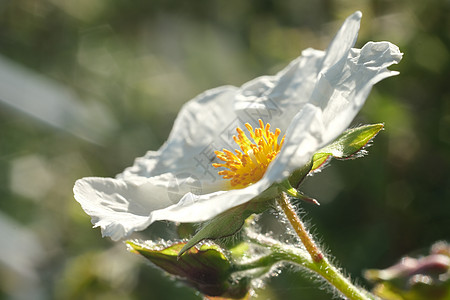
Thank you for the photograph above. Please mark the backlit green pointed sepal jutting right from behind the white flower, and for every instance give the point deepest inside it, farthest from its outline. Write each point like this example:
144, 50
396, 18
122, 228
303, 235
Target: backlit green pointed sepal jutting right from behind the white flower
348, 144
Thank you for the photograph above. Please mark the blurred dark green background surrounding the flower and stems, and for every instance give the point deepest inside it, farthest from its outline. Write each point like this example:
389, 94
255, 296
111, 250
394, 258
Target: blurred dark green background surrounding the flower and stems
86, 86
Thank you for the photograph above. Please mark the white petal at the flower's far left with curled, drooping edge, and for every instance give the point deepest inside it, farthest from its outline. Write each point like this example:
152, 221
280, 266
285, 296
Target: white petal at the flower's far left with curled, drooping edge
121, 206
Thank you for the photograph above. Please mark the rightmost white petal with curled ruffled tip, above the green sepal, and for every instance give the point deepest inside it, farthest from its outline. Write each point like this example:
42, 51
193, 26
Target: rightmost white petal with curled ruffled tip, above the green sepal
342, 90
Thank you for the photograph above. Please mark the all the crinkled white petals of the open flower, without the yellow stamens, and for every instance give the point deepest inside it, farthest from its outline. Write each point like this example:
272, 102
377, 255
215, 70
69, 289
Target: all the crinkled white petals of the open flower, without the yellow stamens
312, 101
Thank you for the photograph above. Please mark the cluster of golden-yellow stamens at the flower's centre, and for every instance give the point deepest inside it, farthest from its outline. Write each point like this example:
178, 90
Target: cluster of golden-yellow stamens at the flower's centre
248, 165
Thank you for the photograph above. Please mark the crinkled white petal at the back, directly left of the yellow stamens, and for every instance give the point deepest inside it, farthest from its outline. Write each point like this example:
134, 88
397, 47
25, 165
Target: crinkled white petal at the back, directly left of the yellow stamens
200, 125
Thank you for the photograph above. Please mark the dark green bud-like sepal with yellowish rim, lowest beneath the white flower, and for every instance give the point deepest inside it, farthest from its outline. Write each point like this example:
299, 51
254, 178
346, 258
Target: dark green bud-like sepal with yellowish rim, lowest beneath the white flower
205, 267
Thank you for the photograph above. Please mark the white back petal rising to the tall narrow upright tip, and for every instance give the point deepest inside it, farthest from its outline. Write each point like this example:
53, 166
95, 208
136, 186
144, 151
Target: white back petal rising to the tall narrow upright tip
277, 99
